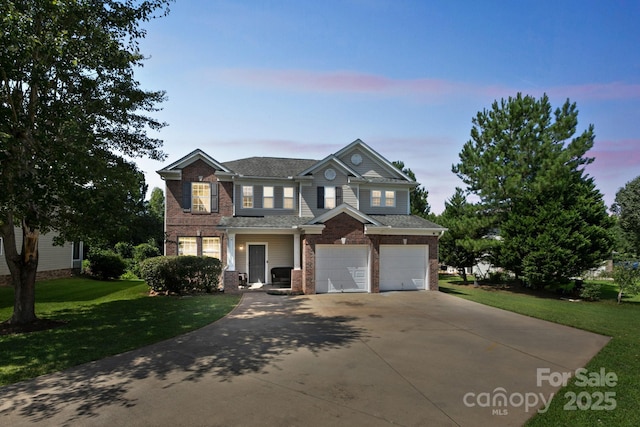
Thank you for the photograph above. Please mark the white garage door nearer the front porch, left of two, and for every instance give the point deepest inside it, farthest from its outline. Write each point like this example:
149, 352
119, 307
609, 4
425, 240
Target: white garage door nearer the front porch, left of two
342, 268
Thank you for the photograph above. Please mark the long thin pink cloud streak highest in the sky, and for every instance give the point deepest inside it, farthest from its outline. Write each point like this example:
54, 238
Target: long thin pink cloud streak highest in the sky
430, 88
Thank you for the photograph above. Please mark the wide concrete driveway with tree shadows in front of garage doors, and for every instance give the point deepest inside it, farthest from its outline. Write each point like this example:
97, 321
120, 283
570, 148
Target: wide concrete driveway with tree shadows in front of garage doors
399, 358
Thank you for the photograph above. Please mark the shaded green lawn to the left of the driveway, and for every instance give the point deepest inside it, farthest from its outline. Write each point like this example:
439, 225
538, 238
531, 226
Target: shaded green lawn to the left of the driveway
100, 319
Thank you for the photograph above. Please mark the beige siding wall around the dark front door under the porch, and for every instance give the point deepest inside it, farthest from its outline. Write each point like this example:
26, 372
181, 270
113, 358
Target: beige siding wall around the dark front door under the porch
279, 248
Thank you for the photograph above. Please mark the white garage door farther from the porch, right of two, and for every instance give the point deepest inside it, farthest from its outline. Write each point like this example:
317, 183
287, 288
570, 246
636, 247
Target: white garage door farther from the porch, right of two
403, 267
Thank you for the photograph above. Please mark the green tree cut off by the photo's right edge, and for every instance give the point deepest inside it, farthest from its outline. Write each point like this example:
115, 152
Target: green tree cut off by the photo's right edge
627, 210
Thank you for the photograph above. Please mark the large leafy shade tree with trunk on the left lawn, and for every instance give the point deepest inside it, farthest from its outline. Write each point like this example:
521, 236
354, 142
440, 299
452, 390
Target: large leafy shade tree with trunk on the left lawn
72, 115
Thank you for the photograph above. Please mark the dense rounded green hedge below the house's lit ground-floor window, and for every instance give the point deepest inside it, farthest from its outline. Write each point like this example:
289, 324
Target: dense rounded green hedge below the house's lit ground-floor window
182, 274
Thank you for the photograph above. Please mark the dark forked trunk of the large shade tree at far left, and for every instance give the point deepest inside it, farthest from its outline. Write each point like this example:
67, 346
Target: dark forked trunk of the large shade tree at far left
23, 267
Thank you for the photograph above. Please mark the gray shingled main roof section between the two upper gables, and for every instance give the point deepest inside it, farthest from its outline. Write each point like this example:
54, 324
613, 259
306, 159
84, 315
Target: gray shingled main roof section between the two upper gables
272, 167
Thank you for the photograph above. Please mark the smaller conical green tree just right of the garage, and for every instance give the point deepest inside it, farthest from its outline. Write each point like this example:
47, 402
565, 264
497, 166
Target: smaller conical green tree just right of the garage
468, 238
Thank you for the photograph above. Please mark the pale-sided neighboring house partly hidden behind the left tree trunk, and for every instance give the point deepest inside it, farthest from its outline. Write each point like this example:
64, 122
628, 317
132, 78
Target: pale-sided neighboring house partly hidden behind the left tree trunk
53, 261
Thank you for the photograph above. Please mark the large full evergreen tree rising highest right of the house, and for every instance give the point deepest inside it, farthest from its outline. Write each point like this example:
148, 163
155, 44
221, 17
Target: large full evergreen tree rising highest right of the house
527, 166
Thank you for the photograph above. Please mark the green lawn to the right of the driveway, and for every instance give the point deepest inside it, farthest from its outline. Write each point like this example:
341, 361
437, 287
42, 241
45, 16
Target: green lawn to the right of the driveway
621, 356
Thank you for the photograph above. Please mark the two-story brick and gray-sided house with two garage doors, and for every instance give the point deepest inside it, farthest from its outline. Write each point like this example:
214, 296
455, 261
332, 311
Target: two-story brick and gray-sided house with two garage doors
341, 224
